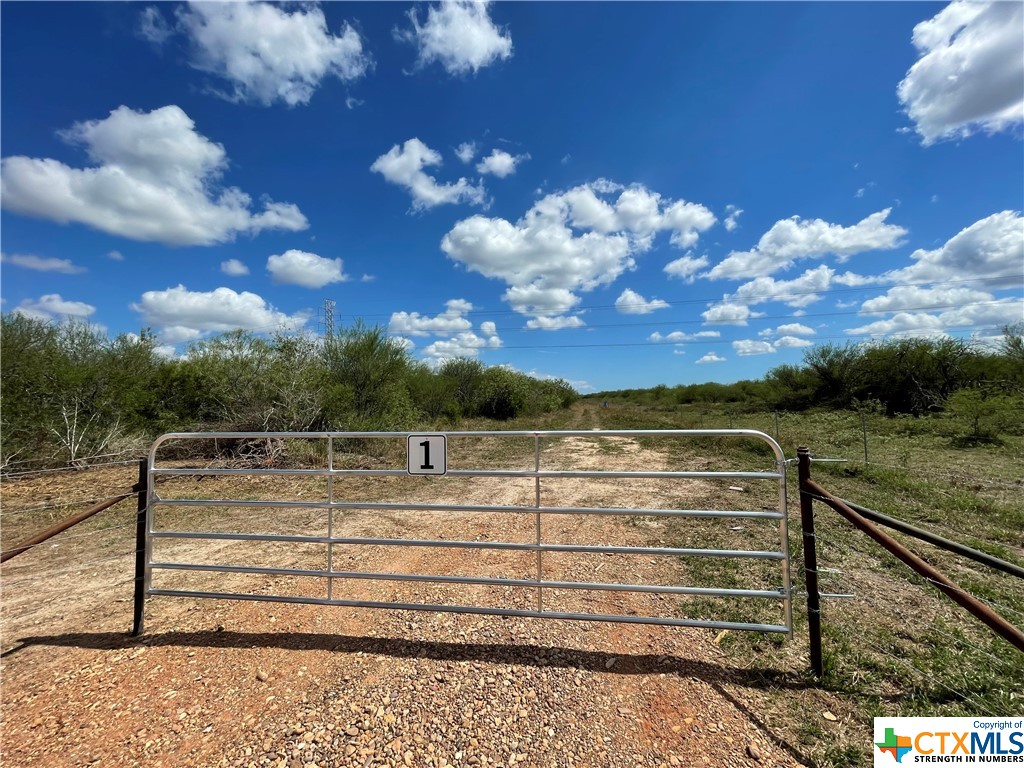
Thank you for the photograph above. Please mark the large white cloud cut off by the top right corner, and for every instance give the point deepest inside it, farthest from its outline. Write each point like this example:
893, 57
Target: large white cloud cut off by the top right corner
970, 73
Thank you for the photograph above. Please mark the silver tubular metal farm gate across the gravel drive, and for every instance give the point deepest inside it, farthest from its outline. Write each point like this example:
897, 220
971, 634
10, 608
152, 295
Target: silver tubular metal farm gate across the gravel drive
330, 506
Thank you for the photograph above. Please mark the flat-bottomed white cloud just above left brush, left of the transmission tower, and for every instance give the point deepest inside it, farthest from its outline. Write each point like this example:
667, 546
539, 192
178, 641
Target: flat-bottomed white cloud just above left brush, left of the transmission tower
183, 315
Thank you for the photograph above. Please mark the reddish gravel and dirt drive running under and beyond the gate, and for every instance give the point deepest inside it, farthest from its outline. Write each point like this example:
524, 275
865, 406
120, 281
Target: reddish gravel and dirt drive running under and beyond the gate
229, 684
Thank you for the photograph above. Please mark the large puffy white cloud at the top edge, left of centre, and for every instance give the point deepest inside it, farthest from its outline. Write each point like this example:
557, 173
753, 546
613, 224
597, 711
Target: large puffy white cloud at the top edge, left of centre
266, 53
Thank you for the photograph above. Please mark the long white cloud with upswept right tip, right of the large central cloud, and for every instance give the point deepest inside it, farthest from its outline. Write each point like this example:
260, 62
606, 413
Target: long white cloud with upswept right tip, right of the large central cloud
795, 239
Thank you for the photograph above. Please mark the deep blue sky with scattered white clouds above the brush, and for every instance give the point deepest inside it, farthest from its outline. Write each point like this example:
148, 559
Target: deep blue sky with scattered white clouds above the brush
619, 195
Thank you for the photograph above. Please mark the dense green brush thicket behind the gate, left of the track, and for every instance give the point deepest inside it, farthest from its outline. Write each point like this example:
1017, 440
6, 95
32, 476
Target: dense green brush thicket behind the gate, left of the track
69, 393
